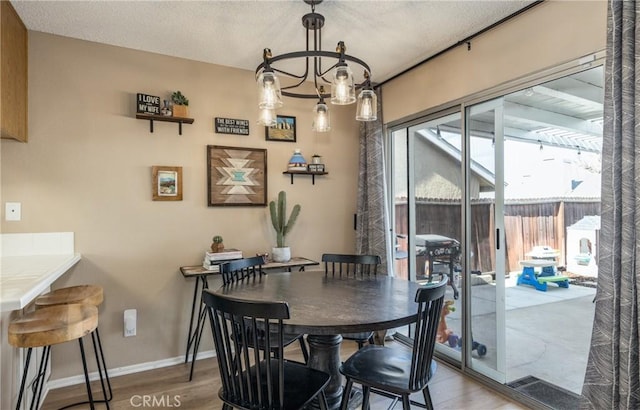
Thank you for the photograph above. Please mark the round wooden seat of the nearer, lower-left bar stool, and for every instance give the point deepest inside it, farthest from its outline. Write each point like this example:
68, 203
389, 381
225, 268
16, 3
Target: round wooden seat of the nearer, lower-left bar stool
53, 325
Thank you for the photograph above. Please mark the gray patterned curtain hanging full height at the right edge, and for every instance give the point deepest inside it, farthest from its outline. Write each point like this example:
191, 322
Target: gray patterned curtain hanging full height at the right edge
612, 377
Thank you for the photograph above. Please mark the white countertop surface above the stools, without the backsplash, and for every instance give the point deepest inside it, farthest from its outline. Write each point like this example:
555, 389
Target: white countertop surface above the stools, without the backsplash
23, 278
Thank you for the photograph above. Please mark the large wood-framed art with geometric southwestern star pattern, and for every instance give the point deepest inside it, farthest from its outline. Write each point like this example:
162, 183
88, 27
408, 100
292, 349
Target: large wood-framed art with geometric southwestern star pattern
236, 176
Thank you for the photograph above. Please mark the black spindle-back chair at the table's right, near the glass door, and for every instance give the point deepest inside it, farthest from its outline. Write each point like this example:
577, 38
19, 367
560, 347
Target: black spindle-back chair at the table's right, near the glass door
397, 370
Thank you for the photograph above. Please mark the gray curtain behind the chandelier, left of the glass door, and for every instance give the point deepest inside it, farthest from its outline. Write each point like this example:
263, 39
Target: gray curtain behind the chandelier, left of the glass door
372, 222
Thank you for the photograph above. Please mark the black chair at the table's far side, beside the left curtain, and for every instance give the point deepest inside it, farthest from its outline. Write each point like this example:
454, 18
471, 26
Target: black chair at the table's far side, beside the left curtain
346, 265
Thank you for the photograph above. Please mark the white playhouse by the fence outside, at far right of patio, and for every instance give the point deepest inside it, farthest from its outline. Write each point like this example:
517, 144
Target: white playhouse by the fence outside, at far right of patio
582, 246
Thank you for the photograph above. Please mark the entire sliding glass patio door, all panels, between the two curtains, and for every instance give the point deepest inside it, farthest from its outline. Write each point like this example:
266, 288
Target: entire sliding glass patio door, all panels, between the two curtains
501, 198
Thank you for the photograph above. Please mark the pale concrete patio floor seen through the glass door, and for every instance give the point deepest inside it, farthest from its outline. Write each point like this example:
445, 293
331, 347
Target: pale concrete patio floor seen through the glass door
547, 333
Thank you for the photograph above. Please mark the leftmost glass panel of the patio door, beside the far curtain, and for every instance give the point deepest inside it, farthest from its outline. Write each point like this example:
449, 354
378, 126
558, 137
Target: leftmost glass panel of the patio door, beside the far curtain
427, 192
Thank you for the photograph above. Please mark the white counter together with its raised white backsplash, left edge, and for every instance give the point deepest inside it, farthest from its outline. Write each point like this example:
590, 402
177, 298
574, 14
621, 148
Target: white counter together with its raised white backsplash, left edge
30, 263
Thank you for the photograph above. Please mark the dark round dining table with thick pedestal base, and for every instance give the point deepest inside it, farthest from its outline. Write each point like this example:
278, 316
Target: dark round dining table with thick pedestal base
324, 306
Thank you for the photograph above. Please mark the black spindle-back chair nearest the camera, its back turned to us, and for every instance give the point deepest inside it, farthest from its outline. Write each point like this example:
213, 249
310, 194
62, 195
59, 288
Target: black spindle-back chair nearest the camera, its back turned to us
252, 378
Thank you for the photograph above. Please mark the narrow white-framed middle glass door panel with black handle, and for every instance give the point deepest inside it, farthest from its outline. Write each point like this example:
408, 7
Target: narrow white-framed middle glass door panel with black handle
485, 283
